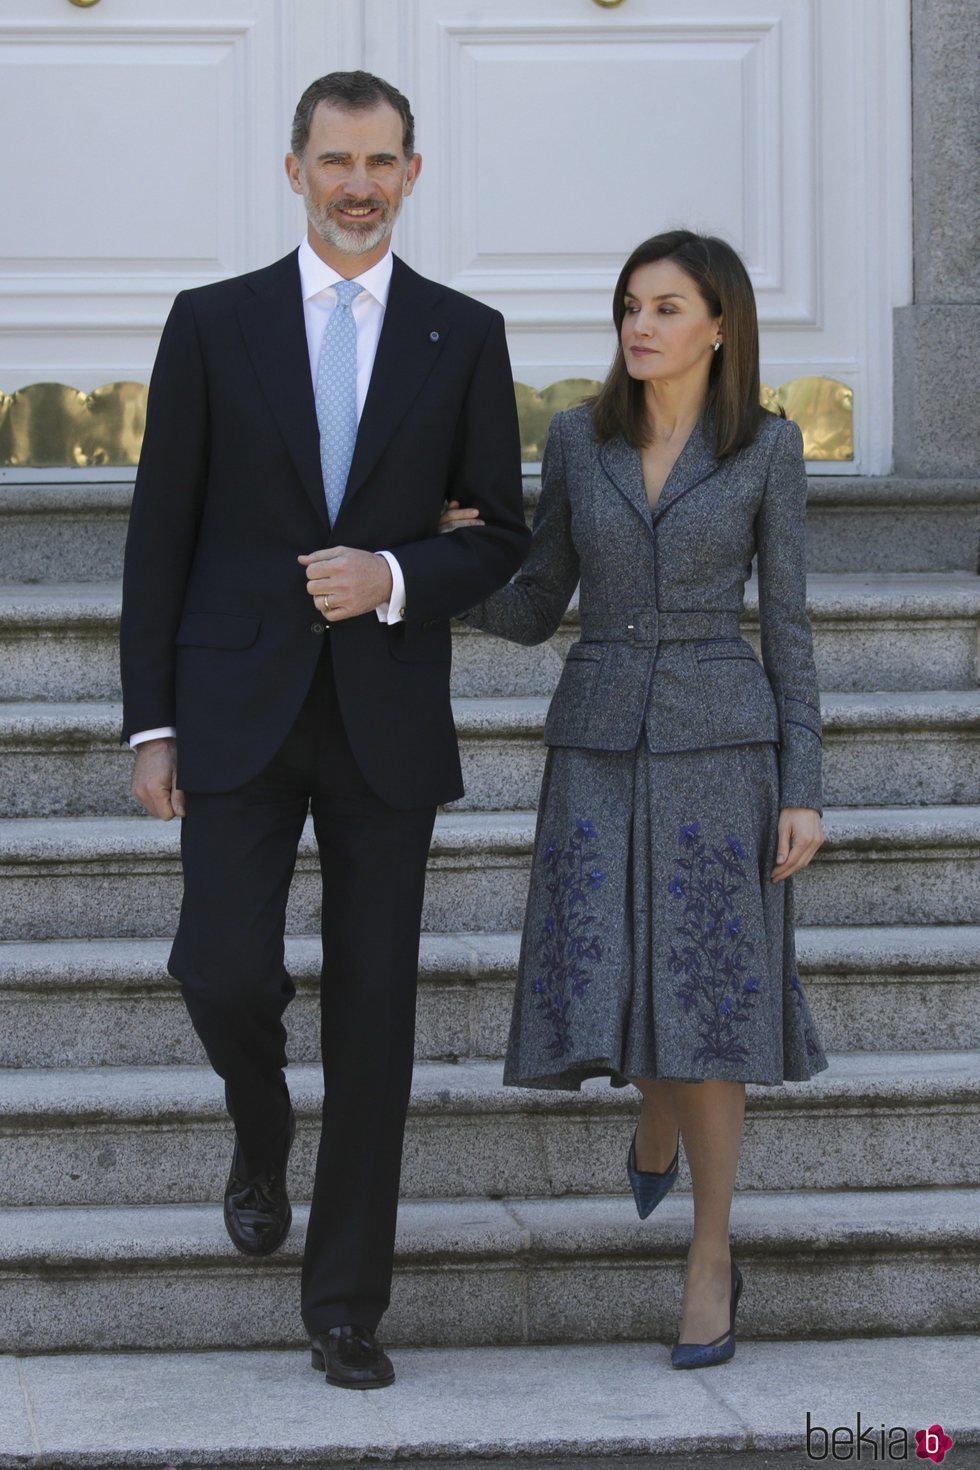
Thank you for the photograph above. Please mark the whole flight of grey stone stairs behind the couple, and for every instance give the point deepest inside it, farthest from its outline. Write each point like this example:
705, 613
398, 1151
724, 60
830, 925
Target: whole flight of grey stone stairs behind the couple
860, 1193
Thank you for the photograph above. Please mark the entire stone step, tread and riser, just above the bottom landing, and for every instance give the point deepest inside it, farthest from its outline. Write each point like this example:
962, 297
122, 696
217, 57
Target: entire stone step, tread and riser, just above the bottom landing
853, 1263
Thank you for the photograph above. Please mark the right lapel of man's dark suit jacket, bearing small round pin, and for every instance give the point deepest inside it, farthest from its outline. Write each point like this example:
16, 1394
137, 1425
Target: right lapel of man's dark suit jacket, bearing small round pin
411, 342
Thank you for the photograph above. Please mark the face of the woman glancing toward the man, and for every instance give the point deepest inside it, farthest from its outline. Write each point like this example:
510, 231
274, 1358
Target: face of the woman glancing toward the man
668, 331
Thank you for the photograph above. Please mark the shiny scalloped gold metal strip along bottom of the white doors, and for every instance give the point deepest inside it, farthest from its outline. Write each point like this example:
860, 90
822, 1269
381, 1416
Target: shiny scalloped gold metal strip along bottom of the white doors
51, 426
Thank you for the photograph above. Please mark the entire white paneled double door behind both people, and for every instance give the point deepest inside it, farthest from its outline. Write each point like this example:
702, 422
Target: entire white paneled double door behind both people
145, 146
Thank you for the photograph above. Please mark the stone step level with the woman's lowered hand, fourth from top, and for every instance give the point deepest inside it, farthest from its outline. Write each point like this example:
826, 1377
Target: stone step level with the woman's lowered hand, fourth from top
118, 878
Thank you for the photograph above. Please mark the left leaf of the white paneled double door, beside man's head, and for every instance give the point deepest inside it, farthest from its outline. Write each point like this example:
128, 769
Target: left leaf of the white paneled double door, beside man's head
143, 146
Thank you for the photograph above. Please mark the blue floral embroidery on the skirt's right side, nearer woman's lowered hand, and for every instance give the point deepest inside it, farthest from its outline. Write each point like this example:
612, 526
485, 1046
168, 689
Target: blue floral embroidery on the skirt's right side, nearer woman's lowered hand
715, 956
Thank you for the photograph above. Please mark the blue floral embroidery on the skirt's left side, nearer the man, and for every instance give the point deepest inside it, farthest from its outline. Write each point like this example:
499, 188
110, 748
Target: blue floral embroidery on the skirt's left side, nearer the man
571, 942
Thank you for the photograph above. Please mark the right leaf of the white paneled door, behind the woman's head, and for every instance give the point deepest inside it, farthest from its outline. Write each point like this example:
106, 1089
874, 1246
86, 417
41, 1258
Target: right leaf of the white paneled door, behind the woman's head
558, 135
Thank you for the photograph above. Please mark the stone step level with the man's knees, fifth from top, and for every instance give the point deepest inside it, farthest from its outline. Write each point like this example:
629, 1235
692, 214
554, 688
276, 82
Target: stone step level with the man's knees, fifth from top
111, 1002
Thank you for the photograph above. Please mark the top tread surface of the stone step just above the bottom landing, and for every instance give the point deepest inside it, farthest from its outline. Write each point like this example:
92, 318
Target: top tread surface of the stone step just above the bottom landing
98, 1238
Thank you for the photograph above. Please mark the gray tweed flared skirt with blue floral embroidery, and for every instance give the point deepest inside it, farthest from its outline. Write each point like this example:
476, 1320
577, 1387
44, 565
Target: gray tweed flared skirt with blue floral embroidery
656, 944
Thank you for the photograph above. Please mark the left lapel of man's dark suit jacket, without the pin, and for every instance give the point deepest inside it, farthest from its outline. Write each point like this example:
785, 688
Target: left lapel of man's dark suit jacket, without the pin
275, 336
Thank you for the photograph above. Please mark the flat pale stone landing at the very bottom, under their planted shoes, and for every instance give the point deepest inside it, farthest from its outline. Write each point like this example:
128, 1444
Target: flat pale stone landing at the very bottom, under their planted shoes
605, 1405
